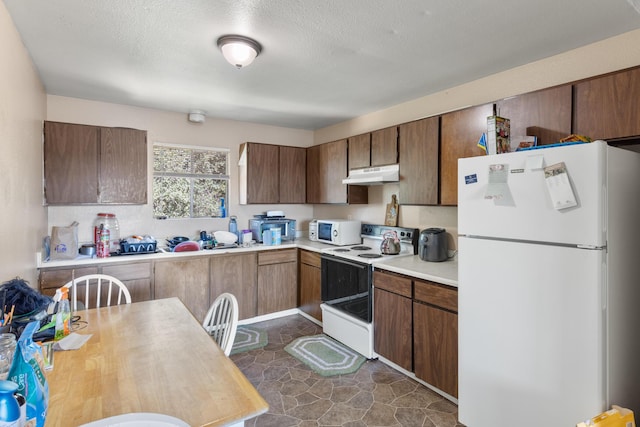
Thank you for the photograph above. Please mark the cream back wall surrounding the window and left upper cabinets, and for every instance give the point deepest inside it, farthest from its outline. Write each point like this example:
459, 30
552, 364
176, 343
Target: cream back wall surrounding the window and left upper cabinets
162, 126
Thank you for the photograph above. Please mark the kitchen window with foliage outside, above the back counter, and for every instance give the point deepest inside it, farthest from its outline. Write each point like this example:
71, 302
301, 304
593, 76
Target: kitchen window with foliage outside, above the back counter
189, 182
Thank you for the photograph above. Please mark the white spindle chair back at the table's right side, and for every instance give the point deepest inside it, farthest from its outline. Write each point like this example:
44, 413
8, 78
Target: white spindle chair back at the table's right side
221, 321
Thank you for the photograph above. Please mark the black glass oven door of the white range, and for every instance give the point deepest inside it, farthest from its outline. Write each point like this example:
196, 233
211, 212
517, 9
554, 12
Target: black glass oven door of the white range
346, 286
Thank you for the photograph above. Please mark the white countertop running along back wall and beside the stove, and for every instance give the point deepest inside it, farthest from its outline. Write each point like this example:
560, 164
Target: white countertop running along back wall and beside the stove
445, 272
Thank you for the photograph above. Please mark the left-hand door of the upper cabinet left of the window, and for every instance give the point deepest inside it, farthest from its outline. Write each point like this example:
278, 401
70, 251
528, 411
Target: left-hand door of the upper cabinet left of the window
71, 163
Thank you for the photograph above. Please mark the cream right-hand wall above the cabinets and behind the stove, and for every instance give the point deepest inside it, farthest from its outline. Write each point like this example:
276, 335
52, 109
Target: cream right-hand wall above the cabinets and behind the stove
608, 55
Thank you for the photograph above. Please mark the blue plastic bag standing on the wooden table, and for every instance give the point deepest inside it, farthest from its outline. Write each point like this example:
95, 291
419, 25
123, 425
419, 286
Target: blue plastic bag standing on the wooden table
27, 370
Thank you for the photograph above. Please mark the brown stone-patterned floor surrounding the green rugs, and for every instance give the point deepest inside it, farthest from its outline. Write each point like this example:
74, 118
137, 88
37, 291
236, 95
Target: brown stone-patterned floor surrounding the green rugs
376, 395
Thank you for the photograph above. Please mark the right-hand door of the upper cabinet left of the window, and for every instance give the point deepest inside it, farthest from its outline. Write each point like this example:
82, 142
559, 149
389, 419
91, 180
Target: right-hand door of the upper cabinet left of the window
123, 166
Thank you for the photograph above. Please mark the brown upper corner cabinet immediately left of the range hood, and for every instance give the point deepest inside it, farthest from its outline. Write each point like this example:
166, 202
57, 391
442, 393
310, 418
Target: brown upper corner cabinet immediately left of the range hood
326, 168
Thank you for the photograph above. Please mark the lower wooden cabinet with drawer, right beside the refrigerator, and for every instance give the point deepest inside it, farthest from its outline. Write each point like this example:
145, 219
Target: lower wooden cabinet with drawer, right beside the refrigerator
435, 335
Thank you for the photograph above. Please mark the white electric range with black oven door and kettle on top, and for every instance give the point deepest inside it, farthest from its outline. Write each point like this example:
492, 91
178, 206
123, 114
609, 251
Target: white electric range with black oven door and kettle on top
347, 284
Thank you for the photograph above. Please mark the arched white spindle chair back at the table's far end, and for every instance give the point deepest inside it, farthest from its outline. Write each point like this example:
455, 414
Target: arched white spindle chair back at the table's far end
97, 290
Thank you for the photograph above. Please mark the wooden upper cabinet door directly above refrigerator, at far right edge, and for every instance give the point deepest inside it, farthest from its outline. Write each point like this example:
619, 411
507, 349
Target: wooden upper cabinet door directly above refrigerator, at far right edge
607, 107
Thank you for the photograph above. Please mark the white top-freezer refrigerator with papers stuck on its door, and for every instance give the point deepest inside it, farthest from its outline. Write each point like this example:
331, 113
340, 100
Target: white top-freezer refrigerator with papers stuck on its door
548, 298
